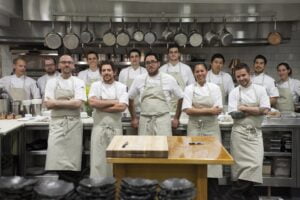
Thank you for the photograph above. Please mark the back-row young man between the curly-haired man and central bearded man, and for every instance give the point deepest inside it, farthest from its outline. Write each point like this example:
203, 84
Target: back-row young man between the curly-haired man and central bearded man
128, 74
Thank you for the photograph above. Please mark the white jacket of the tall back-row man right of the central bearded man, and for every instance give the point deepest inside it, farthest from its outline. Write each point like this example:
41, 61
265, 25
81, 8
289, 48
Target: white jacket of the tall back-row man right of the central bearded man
186, 72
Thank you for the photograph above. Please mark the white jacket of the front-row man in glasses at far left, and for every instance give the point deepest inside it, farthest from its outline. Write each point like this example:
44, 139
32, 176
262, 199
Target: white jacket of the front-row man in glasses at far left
72, 83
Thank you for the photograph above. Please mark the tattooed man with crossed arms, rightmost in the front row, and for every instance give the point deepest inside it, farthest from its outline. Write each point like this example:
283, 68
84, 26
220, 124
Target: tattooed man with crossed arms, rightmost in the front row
246, 143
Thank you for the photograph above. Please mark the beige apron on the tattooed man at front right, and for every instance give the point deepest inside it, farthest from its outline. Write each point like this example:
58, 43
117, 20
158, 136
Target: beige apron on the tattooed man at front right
246, 146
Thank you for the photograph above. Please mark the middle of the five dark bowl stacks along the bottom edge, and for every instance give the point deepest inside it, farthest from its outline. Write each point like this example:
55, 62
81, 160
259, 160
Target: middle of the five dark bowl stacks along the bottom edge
97, 188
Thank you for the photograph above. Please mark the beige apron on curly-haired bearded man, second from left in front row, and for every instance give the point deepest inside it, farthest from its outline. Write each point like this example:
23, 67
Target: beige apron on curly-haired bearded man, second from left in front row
106, 126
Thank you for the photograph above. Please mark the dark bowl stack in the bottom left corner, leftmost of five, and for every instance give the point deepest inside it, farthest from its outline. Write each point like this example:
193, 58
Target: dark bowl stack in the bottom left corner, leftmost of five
17, 188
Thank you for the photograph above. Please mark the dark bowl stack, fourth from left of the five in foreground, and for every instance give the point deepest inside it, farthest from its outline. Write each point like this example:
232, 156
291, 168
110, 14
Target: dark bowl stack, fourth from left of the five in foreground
138, 189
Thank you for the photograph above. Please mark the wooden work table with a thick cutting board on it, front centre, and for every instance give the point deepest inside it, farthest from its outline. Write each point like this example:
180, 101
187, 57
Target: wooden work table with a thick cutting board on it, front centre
188, 158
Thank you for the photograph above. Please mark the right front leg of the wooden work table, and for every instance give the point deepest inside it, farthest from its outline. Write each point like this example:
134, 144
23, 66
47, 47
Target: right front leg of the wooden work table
201, 182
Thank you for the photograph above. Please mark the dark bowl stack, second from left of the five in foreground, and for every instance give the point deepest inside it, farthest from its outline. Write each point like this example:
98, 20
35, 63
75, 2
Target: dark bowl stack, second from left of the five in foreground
55, 190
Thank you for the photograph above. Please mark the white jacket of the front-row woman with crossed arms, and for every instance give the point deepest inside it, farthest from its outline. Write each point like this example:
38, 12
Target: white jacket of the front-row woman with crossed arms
208, 89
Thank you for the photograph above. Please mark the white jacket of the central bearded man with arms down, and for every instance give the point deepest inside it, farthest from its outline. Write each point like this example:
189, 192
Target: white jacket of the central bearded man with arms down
169, 85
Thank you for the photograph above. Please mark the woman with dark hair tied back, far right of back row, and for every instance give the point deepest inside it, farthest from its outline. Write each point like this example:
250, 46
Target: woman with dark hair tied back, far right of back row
289, 88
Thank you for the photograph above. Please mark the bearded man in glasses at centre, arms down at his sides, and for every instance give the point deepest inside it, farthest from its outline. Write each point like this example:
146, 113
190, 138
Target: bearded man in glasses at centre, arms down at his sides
155, 90
